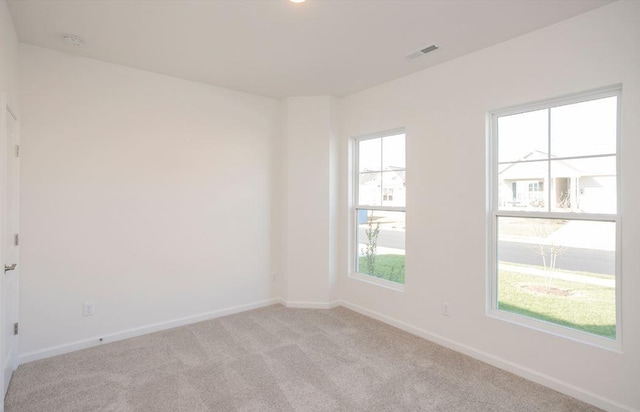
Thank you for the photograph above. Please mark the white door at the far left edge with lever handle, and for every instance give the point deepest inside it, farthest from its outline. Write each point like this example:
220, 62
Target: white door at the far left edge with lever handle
9, 282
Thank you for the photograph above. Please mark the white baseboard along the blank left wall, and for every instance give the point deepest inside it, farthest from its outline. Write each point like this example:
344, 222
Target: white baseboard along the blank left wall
130, 333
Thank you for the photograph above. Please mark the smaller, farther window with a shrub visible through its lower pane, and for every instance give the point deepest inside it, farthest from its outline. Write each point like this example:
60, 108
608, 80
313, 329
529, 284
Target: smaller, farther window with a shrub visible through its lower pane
379, 211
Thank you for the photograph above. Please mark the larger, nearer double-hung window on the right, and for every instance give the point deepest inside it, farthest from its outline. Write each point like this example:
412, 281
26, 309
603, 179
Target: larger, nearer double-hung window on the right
554, 216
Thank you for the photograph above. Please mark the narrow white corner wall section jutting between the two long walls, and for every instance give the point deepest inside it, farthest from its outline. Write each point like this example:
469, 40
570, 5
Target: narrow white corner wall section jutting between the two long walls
310, 200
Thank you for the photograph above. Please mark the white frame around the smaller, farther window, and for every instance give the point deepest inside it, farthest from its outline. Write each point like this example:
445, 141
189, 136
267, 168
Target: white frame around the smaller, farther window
355, 207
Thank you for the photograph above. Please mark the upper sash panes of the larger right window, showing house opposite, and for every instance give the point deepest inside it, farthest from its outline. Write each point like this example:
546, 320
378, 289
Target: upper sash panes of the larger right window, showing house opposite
558, 149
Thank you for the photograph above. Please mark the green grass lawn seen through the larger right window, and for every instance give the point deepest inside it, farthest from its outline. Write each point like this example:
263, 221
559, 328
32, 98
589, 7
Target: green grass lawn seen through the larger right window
580, 306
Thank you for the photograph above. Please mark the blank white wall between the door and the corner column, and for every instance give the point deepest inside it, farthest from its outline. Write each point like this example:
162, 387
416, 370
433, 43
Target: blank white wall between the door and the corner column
147, 195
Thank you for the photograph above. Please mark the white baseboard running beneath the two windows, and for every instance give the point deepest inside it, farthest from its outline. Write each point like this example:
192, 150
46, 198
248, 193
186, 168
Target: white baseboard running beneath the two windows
529, 374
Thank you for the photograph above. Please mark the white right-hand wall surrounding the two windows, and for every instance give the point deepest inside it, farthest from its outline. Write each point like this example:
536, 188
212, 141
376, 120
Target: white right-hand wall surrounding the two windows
443, 110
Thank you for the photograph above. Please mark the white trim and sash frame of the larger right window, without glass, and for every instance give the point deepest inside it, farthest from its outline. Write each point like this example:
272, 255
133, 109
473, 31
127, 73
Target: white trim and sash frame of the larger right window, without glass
493, 213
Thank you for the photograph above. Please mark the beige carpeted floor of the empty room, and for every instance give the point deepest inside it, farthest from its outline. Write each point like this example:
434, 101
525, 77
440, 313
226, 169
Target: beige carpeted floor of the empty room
276, 359
